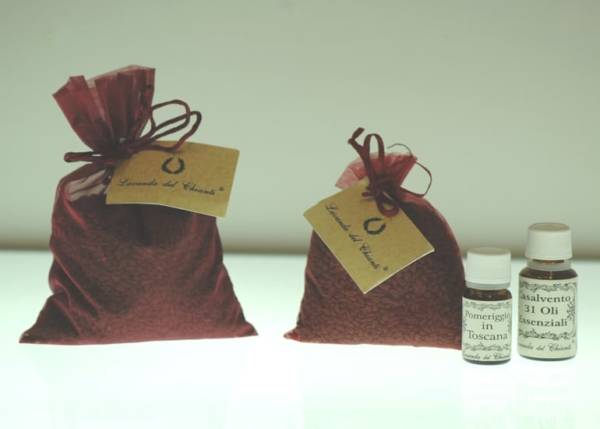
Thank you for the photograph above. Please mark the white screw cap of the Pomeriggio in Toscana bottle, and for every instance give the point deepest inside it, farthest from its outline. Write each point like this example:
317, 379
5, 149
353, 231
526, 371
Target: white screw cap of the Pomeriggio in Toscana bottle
488, 266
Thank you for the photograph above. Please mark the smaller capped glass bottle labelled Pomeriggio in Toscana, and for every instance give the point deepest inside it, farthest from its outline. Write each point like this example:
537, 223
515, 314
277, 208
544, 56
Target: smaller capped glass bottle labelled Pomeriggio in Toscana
487, 307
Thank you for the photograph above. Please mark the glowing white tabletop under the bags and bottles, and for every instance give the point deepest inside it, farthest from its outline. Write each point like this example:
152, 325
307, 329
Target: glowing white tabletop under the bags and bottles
269, 382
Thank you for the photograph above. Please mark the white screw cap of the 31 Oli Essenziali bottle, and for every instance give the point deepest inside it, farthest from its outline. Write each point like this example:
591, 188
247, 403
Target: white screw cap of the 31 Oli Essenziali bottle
549, 242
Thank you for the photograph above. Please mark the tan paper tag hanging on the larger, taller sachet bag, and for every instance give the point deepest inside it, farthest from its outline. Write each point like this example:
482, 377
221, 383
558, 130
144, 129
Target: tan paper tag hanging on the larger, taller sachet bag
197, 178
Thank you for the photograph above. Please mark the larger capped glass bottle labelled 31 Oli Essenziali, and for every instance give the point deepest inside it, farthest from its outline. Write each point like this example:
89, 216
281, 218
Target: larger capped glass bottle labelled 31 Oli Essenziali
548, 295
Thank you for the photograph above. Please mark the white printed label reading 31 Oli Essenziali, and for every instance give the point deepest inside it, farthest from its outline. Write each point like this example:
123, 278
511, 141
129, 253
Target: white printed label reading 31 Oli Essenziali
547, 318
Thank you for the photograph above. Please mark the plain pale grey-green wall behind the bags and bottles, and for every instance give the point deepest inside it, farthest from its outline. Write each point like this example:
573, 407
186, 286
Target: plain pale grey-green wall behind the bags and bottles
501, 100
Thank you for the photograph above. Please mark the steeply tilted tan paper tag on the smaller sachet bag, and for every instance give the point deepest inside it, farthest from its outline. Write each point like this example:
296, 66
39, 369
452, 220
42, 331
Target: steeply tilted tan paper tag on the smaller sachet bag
371, 247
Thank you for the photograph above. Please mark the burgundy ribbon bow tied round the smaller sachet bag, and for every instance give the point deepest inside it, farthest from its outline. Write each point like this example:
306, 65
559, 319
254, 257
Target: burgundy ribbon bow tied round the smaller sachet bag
385, 182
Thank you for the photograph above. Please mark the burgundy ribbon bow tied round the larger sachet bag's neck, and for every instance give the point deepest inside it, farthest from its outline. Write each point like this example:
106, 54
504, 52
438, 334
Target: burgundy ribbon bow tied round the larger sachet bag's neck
126, 148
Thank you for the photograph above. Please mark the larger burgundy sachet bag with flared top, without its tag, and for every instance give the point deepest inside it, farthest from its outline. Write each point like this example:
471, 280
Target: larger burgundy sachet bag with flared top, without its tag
124, 273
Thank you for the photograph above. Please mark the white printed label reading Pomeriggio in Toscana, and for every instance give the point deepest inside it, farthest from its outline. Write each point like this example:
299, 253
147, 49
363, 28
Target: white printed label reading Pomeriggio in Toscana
486, 330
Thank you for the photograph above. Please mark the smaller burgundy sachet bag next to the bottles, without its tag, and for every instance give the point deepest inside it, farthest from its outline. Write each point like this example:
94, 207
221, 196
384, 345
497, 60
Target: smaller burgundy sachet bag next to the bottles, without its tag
419, 305
